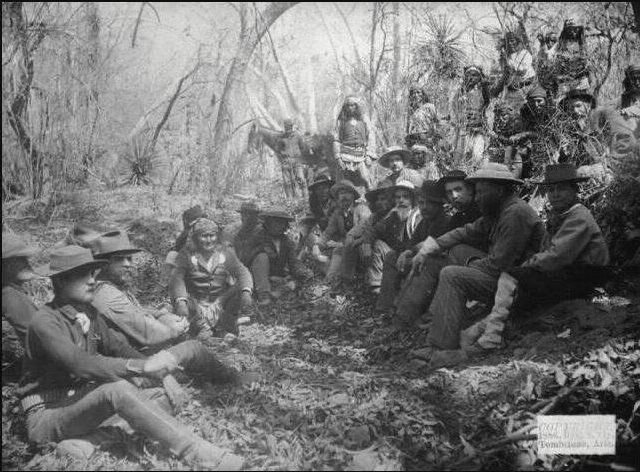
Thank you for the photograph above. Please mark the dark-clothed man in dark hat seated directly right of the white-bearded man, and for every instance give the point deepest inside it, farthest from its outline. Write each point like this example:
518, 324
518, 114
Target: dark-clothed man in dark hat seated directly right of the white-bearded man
397, 265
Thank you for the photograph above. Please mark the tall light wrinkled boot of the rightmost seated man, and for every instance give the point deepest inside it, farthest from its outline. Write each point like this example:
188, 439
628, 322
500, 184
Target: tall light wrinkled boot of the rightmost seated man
487, 333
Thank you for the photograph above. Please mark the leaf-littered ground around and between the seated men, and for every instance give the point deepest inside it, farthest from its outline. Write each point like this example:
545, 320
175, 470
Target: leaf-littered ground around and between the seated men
340, 389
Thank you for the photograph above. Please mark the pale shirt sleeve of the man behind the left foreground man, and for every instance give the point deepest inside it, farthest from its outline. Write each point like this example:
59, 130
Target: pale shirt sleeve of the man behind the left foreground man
133, 320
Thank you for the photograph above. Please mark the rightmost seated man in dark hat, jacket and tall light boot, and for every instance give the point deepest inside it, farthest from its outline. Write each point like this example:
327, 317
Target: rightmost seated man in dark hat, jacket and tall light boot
568, 265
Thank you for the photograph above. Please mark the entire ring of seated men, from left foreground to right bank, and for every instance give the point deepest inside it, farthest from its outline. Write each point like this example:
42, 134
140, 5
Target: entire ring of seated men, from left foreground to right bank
94, 351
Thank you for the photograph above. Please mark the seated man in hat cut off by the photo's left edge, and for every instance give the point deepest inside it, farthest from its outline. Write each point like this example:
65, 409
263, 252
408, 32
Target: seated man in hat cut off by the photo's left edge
17, 308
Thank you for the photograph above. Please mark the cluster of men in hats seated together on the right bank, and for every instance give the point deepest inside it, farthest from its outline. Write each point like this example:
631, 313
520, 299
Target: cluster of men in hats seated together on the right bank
424, 263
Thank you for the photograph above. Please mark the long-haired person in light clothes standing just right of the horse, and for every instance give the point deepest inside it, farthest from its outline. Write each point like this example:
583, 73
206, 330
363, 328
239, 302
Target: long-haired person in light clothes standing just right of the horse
354, 144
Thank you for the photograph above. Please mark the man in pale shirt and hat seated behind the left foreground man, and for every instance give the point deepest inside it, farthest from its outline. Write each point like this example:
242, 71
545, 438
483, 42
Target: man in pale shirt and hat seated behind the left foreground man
114, 296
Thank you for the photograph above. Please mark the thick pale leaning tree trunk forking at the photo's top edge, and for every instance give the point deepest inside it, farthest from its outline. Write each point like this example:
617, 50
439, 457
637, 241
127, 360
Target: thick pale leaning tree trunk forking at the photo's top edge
252, 29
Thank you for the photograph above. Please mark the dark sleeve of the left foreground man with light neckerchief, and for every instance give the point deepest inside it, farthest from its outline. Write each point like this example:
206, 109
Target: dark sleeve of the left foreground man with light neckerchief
51, 338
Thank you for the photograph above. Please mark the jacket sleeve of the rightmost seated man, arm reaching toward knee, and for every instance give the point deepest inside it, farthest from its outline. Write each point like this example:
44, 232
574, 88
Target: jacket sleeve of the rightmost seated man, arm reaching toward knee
567, 244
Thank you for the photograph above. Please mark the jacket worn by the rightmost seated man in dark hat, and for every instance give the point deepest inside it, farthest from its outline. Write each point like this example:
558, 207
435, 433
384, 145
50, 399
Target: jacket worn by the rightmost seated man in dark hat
574, 239
